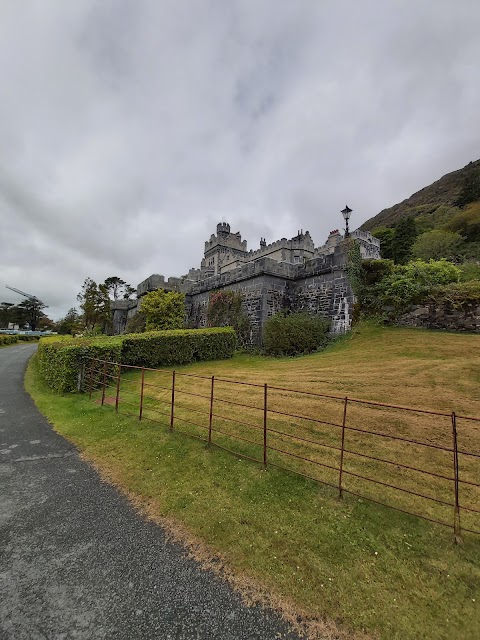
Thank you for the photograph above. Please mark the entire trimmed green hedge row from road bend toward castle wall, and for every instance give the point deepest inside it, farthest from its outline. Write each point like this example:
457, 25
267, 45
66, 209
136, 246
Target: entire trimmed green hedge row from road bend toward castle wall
60, 360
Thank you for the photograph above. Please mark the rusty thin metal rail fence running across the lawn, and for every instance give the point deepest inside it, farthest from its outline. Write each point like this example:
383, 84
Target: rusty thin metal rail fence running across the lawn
423, 463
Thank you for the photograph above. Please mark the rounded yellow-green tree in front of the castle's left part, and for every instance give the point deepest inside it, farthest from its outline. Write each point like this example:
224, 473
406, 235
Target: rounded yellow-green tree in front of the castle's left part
163, 310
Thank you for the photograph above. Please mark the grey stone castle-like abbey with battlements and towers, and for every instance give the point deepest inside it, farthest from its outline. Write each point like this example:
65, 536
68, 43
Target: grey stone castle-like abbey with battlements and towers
285, 275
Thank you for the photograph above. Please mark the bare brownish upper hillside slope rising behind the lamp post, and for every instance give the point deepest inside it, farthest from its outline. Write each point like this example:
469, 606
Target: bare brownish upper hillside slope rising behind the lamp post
435, 202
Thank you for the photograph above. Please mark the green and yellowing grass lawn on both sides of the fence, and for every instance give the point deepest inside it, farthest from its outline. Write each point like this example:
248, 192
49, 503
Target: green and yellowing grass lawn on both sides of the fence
361, 568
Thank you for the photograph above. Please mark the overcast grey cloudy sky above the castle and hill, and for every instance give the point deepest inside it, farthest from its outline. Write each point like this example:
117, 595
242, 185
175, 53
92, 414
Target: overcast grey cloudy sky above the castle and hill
129, 128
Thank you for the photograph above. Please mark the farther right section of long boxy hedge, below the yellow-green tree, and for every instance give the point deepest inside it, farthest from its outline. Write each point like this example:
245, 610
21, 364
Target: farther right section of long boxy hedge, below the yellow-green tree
160, 348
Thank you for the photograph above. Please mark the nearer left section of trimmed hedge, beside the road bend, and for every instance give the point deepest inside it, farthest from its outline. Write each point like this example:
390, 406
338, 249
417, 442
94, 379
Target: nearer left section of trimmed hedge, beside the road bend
60, 361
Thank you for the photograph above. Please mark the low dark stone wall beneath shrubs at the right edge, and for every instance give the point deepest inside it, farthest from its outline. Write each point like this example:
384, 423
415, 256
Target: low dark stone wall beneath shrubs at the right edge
443, 316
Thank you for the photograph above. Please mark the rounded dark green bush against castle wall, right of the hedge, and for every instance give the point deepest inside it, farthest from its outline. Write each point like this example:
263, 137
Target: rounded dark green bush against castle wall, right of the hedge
289, 335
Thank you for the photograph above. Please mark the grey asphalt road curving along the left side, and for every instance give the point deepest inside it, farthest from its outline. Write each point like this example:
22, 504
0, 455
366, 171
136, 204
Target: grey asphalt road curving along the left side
76, 561
